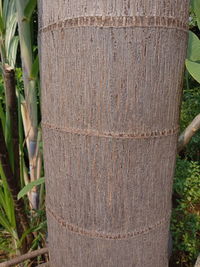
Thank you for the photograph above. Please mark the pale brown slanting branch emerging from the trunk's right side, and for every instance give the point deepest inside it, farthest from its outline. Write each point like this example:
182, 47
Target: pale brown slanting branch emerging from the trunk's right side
189, 132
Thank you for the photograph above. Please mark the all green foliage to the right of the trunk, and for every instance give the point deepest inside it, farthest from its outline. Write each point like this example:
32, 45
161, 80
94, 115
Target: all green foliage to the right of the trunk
185, 222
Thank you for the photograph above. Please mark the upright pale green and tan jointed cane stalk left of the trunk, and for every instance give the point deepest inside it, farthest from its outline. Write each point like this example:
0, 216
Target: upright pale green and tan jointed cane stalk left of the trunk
30, 121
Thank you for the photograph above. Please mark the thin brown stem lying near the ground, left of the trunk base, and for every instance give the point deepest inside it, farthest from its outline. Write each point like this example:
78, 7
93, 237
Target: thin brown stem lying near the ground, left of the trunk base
24, 257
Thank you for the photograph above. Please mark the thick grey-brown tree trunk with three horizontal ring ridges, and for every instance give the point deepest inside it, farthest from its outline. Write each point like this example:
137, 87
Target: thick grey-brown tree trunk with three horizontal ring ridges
111, 86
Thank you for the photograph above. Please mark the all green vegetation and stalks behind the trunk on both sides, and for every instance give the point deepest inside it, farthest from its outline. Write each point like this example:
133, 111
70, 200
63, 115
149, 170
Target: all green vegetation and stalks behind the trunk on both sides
22, 139
